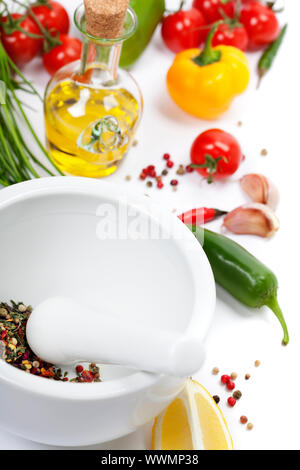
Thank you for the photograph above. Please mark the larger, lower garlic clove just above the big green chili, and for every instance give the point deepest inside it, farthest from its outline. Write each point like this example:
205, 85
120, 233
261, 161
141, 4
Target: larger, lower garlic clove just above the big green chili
252, 219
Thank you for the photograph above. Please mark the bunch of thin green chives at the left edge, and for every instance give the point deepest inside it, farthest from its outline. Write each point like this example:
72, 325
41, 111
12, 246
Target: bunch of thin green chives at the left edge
17, 162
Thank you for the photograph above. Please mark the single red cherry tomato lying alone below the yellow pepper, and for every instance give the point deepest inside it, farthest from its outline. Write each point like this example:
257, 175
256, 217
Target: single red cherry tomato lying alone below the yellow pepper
218, 153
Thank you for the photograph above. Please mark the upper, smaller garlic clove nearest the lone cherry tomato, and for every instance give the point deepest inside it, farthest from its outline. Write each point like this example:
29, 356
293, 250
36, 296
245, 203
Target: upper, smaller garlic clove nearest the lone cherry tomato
260, 189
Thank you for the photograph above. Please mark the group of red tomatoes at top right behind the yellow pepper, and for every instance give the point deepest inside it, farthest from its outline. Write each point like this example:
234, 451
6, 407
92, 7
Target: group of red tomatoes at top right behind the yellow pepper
252, 27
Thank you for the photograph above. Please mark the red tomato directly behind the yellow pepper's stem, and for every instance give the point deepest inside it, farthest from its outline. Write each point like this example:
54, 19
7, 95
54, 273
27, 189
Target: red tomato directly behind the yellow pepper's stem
231, 36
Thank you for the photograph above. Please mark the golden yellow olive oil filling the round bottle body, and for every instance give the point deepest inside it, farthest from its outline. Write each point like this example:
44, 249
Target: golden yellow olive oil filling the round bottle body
88, 129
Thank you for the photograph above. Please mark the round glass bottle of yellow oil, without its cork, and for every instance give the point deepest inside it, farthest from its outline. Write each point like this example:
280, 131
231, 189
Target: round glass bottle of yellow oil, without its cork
92, 107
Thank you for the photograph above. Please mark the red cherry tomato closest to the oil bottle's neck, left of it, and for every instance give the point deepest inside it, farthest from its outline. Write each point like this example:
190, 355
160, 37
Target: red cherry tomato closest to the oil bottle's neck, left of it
67, 52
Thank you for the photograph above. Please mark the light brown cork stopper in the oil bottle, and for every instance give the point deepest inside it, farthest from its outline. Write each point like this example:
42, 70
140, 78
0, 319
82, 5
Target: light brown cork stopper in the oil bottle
105, 18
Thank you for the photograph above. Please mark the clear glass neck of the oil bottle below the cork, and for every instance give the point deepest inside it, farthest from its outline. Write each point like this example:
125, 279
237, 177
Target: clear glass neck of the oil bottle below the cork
103, 58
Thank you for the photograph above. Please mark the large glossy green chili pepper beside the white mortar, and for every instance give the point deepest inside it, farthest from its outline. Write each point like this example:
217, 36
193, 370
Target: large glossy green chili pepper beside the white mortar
241, 274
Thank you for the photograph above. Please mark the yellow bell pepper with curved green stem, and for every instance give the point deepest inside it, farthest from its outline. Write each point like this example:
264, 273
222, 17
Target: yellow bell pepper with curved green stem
204, 83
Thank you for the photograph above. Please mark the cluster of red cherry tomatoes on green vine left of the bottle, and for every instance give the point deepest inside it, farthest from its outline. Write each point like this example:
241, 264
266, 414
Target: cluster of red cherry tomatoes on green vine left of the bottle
42, 29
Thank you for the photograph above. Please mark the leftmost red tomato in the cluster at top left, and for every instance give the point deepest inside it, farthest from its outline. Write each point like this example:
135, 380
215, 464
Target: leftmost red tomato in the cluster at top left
20, 47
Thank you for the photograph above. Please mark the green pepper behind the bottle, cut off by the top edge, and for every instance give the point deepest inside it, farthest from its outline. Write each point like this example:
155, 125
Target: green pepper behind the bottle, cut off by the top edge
149, 13
